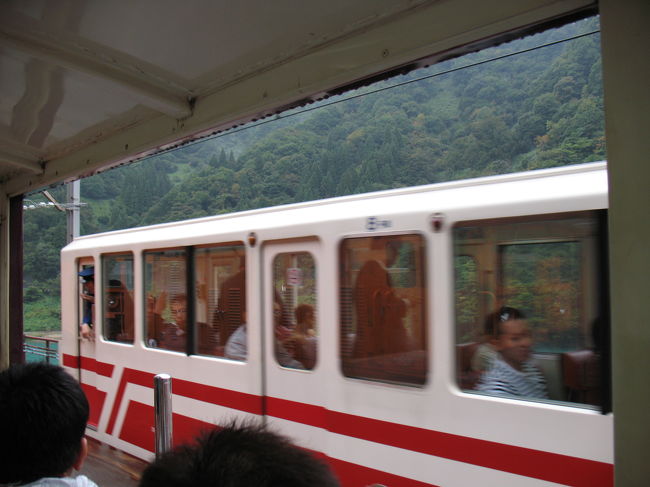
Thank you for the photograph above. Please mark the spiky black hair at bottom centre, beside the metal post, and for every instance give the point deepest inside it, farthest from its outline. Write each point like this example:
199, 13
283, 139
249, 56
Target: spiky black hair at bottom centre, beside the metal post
238, 456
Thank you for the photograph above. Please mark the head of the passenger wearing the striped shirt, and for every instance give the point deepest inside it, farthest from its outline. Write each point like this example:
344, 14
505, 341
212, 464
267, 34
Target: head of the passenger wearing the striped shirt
510, 335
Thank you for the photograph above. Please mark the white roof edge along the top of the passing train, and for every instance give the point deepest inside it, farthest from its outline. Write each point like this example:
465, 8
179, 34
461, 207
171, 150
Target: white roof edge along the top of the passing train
542, 184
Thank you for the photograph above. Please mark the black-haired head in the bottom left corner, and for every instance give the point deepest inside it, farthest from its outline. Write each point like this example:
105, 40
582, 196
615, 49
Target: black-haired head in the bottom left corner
43, 416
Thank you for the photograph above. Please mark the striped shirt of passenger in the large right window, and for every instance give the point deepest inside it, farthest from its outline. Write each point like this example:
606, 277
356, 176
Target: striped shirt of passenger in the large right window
503, 380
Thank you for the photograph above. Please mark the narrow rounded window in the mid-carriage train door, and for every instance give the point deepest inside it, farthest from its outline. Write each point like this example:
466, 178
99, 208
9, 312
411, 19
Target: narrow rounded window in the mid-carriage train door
294, 310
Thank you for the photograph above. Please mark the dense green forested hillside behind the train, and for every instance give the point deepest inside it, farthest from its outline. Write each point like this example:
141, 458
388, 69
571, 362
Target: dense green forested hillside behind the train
504, 109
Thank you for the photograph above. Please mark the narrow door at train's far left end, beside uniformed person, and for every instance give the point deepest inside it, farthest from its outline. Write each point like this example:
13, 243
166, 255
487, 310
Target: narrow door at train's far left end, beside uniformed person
86, 326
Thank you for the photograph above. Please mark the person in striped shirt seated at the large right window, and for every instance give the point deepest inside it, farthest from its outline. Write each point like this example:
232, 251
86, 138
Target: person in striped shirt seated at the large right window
511, 373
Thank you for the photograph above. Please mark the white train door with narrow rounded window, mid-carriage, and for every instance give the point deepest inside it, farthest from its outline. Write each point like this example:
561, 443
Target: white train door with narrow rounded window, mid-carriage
294, 374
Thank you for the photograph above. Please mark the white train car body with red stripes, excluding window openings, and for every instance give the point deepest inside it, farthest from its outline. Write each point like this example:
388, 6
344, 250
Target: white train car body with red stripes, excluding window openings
371, 431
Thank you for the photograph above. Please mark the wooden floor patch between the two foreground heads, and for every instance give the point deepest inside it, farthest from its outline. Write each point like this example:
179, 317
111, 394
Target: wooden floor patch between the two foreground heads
108, 467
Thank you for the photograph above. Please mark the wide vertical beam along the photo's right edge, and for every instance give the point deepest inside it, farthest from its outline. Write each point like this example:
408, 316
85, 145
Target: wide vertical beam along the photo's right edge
626, 77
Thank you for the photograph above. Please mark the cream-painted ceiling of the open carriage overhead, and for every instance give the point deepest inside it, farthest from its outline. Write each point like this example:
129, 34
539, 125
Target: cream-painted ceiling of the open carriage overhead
89, 84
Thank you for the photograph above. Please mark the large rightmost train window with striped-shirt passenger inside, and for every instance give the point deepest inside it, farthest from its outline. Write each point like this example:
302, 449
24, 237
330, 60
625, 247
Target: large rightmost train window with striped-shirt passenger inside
539, 293
